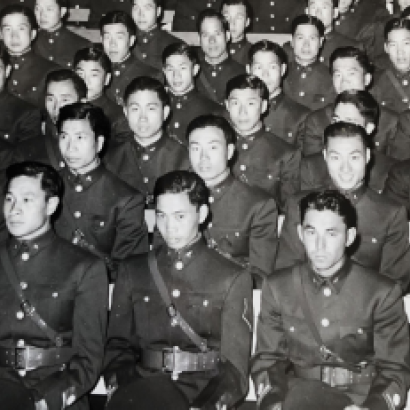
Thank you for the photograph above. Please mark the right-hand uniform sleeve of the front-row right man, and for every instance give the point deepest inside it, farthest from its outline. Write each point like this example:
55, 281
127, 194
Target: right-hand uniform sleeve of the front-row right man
391, 346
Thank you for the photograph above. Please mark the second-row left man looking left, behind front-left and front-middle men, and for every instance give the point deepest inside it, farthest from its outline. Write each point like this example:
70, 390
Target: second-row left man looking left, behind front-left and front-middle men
100, 212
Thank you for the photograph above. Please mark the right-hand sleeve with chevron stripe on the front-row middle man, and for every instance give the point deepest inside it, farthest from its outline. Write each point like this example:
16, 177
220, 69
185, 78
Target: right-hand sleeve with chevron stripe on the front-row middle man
231, 383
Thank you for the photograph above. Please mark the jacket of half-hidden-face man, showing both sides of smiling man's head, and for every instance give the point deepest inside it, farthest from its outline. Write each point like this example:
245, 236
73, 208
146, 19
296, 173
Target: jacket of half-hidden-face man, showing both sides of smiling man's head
384, 140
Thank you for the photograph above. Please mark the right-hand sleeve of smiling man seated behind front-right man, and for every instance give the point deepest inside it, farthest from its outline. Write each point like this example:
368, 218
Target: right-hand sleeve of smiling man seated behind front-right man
395, 261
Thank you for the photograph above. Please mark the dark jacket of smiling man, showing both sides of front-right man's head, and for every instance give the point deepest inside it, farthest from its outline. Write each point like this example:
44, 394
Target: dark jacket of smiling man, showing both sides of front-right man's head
383, 235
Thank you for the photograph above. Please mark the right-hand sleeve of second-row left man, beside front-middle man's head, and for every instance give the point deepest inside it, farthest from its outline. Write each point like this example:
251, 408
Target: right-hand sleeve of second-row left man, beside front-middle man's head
131, 231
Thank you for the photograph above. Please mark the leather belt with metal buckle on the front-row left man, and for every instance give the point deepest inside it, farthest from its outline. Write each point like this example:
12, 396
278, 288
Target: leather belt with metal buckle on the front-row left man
30, 357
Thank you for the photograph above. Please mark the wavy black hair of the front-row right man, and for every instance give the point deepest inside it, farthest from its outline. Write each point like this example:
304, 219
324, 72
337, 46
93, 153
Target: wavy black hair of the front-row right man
329, 200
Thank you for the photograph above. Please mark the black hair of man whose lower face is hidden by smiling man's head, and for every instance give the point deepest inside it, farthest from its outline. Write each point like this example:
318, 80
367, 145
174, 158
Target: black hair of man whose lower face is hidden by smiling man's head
363, 101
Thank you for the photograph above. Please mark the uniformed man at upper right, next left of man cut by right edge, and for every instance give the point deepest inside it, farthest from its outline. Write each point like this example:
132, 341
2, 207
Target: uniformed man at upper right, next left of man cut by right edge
308, 81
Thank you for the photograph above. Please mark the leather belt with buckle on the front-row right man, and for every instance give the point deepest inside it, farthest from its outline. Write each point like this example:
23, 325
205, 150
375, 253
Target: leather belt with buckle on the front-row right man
336, 376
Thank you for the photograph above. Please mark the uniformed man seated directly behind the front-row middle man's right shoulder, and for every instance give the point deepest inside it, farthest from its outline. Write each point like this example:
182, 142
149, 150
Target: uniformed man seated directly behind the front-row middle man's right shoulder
243, 219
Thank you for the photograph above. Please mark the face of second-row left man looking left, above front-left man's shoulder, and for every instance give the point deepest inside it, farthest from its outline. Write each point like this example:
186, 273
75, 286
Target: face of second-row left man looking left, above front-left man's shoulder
78, 145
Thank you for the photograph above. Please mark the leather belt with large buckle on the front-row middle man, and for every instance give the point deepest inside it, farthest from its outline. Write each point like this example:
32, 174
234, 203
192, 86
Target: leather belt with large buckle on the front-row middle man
177, 361
